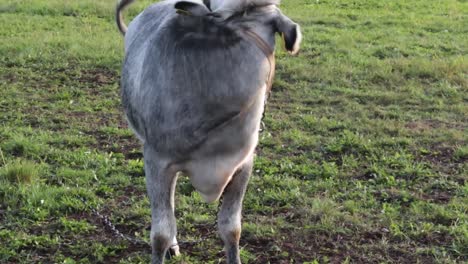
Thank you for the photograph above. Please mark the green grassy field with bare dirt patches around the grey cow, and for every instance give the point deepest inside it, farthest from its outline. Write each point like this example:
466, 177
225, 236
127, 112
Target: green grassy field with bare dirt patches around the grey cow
364, 158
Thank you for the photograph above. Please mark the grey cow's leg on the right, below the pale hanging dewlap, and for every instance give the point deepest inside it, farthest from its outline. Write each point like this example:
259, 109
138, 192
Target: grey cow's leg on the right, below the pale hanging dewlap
229, 216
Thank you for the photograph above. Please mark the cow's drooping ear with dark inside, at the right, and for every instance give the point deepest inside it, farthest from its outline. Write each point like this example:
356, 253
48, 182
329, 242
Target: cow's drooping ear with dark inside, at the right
290, 32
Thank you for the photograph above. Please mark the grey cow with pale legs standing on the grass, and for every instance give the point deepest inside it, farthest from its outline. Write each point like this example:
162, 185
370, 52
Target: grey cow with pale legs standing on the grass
194, 82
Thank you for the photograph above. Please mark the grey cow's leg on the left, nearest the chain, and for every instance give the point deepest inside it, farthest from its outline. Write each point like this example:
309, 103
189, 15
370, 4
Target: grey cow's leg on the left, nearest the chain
160, 183
